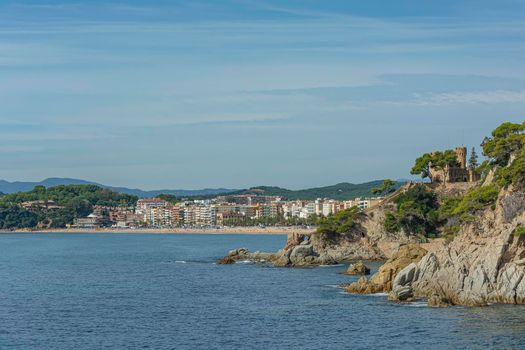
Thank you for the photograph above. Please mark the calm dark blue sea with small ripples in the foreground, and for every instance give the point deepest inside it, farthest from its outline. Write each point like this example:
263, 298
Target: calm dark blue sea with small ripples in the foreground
130, 290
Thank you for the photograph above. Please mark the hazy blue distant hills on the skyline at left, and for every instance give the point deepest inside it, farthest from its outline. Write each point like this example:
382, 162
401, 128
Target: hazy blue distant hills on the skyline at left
18, 186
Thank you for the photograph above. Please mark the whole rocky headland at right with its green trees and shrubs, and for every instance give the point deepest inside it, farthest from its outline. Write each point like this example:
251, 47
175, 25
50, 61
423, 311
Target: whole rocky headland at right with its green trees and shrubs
479, 258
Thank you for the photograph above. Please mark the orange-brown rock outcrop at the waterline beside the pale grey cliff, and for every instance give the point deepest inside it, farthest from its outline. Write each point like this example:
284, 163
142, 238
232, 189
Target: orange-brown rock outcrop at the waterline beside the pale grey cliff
382, 280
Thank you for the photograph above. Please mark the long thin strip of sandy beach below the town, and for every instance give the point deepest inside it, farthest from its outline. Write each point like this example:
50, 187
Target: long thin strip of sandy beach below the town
224, 230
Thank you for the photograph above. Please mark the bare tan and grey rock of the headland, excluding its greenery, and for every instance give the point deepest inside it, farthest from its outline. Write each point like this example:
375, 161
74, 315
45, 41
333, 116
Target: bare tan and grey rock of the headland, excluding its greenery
483, 264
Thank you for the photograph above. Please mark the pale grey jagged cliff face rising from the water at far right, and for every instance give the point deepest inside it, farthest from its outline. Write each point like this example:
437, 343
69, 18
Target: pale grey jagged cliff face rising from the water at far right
484, 264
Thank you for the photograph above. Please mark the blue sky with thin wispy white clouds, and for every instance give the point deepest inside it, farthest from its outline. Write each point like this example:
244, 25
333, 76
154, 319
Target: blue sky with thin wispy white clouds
238, 93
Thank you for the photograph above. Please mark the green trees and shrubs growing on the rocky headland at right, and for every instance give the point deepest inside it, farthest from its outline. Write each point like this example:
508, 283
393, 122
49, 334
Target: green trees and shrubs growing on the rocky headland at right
420, 211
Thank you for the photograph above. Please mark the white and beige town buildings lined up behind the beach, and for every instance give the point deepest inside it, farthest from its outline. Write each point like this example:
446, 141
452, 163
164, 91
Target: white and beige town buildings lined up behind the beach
226, 210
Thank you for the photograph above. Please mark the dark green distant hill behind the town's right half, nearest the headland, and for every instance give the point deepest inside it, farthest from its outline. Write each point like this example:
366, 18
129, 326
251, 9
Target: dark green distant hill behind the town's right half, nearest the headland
341, 191
